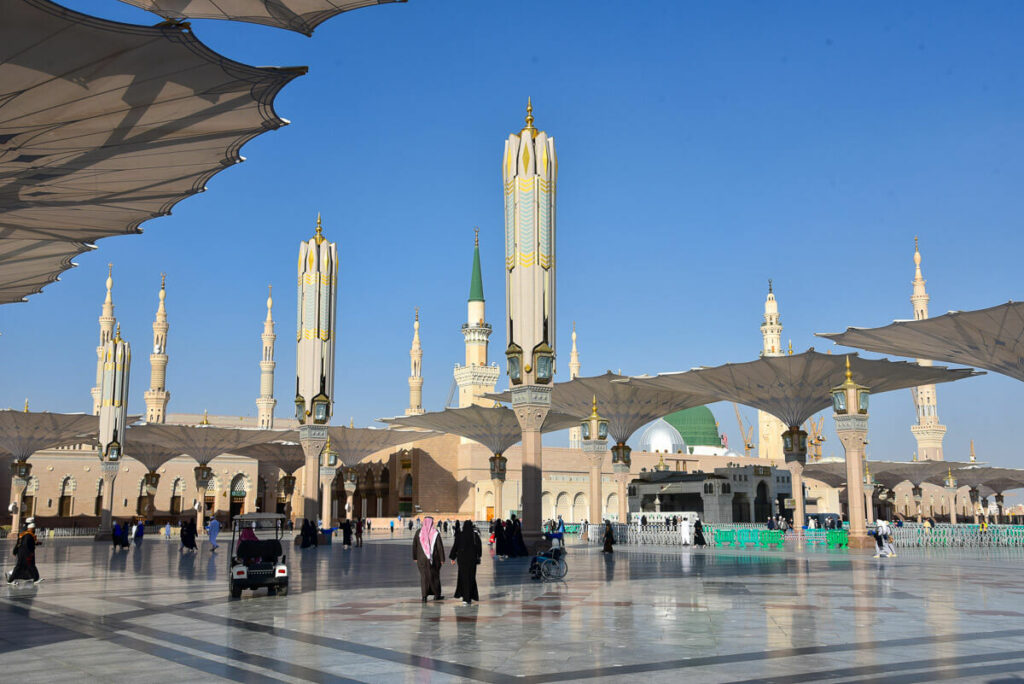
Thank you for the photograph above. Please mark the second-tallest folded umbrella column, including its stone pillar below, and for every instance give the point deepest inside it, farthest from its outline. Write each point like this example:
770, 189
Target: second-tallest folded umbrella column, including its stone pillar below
315, 357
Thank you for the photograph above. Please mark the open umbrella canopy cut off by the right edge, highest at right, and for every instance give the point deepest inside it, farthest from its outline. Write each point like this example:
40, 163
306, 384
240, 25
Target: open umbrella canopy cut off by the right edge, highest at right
992, 339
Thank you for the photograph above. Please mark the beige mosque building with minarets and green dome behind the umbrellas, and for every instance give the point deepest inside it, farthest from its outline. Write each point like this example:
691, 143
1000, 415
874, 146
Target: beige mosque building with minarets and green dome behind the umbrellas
447, 475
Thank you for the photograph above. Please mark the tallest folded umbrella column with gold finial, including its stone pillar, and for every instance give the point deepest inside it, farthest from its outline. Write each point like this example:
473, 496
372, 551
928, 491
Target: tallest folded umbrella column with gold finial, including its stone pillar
530, 174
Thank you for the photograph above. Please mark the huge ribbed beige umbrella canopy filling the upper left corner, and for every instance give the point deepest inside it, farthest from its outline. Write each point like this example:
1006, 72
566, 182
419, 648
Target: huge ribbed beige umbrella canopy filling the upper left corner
105, 125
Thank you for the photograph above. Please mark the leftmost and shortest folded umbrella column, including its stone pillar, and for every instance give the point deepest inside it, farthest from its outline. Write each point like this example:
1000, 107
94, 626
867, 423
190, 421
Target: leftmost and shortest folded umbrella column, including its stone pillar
113, 419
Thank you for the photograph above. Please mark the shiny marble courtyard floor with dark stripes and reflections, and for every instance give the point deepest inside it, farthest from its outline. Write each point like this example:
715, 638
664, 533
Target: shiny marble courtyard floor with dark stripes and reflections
657, 615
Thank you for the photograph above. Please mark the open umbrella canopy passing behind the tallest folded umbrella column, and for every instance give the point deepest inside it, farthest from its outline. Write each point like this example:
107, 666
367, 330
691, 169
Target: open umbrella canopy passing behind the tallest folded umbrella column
497, 427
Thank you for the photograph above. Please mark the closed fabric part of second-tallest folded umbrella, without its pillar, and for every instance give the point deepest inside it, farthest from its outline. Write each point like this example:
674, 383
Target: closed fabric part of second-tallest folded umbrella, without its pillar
316, 332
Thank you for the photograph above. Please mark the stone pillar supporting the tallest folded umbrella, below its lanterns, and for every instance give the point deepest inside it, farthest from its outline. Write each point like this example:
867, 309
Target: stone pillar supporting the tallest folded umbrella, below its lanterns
532, 404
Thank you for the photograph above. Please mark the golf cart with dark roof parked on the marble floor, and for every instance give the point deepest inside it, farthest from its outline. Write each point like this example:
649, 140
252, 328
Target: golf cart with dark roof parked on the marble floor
258, 560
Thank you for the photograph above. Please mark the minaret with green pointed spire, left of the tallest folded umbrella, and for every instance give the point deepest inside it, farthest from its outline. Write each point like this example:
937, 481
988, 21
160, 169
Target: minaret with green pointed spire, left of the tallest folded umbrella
476, 378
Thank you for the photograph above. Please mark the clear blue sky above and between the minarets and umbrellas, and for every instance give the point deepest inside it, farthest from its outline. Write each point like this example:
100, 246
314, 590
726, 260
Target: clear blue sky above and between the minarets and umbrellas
704, 149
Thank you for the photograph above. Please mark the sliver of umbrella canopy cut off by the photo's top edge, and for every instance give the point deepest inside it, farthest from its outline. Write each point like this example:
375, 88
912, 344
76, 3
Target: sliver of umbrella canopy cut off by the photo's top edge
302, 16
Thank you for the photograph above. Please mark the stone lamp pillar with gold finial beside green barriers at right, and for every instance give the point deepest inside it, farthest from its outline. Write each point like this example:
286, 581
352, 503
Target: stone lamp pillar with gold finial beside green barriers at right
850, 406
